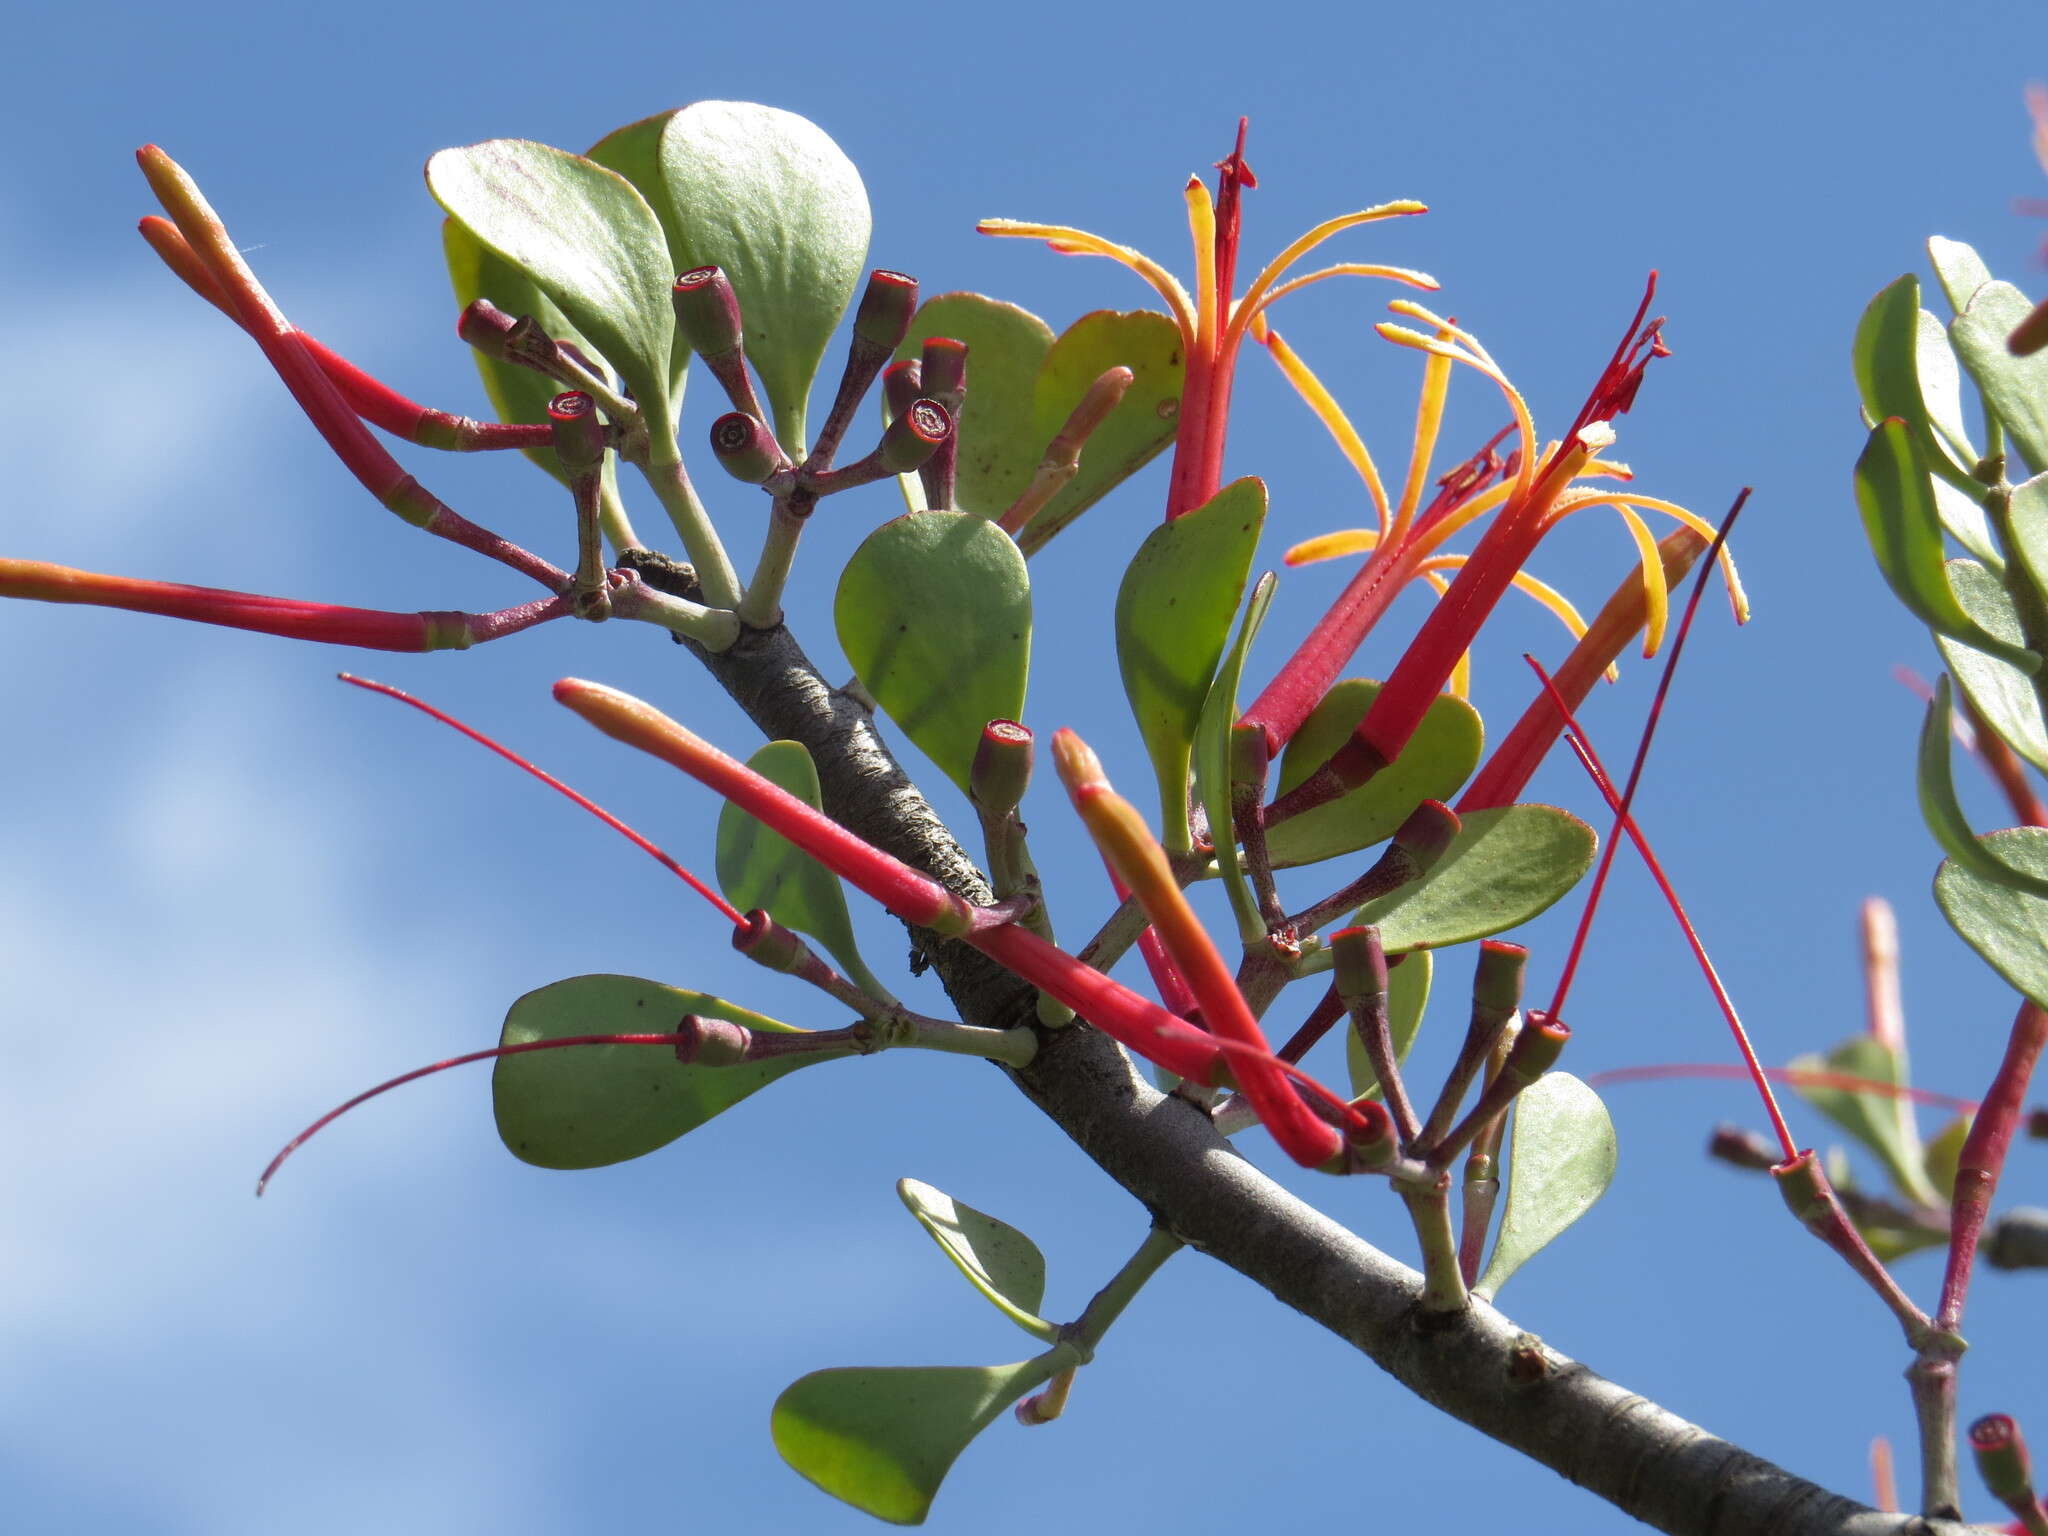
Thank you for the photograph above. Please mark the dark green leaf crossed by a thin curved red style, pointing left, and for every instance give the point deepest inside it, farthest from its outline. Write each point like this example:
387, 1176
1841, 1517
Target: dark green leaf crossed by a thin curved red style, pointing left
599, 1105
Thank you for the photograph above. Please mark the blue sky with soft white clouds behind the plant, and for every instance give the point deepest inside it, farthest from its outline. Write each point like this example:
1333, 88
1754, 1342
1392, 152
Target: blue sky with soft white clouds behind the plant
237, 894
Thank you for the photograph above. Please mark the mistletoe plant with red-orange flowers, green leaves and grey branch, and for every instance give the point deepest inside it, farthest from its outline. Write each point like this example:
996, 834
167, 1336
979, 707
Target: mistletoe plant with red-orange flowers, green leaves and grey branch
1367, 837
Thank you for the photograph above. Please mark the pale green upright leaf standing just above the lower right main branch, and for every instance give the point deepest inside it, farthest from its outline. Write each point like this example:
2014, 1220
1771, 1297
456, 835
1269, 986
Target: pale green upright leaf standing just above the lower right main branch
1560, 1162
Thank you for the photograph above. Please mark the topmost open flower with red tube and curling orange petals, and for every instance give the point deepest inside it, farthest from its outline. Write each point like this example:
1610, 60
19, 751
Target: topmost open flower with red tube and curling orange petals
1213, 325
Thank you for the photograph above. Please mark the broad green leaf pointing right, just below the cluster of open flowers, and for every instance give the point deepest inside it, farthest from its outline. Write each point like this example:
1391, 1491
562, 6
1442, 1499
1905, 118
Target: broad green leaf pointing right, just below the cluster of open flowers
1504, 867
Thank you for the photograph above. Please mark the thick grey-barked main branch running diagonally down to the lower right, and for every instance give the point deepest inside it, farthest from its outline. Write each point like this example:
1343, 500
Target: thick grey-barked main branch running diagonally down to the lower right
1480, 1369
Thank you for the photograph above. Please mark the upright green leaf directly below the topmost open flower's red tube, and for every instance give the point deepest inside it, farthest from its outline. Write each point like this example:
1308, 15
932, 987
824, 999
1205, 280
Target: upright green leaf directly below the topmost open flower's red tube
1172, 620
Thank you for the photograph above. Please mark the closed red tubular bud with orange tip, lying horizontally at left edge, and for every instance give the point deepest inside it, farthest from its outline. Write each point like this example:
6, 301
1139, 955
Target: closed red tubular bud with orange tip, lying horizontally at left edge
312, 622
